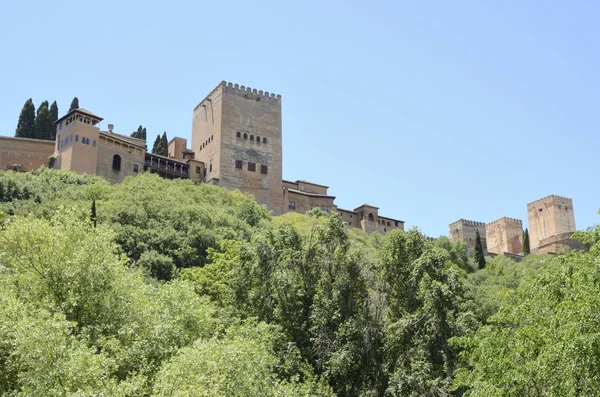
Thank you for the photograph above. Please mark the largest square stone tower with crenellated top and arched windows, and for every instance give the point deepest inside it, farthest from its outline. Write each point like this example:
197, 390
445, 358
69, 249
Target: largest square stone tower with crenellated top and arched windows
236, 132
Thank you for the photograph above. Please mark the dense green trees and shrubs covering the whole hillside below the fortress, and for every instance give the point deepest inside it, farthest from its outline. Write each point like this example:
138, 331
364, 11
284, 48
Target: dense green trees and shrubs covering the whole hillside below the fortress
176, 289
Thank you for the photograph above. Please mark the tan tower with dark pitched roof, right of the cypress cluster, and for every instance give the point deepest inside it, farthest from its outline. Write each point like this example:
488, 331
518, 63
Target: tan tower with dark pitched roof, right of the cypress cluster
77, 138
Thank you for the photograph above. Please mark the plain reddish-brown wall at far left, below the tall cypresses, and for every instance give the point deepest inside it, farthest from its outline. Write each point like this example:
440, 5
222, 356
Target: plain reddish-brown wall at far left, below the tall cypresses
31, 154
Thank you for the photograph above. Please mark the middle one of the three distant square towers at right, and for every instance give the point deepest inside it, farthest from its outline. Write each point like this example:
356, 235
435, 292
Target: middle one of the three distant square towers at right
505, 236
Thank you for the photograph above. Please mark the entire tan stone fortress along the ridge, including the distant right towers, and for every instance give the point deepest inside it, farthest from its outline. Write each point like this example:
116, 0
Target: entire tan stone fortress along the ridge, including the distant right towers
237, 144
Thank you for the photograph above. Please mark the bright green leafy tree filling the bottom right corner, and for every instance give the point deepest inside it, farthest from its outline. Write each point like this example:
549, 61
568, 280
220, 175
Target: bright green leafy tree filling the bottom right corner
544, 341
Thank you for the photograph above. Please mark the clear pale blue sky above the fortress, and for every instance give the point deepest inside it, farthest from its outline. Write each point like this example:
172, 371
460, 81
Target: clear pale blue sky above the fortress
433, 111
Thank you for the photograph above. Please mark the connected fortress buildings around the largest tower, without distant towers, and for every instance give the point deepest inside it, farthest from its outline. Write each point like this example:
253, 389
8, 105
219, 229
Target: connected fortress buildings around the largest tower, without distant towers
236, 143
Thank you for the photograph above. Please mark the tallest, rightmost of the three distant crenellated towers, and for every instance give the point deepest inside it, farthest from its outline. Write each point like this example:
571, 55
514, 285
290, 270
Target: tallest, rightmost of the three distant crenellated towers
551, 223
